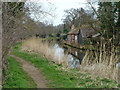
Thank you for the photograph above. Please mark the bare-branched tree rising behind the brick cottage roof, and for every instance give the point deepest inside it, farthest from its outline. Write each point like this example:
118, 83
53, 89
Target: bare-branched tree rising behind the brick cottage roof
79, 17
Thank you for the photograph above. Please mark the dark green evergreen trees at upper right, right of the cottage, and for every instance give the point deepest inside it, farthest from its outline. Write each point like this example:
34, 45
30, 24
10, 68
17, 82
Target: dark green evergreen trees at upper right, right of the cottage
109, 16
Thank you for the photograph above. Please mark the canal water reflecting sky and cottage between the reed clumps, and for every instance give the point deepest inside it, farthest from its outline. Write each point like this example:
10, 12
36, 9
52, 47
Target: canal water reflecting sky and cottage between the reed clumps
75, 56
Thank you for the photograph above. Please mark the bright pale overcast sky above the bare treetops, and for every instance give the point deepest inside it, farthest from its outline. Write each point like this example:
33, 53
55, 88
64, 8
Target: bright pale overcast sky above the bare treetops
60, 6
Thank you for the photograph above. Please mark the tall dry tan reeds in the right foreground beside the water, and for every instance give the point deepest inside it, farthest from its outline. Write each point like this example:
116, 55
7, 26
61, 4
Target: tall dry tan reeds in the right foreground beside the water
102, 62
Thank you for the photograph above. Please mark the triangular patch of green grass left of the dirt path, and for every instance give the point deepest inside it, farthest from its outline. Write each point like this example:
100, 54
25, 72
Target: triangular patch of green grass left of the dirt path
16, 77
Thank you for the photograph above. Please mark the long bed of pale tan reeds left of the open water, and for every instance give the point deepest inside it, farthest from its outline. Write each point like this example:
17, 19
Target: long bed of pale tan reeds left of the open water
44, 48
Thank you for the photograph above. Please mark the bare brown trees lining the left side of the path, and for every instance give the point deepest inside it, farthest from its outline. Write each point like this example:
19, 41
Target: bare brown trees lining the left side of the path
18, 25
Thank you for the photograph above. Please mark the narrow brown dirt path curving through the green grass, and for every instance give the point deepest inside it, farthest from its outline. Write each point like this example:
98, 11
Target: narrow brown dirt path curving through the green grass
33, 72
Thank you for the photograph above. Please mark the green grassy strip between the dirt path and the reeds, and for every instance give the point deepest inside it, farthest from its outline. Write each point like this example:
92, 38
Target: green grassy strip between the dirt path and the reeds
60, 77
